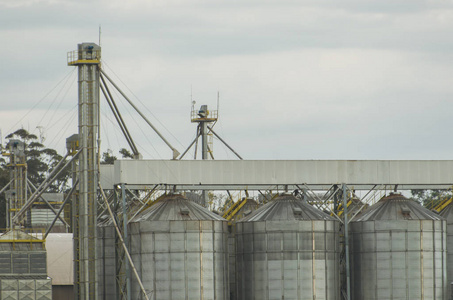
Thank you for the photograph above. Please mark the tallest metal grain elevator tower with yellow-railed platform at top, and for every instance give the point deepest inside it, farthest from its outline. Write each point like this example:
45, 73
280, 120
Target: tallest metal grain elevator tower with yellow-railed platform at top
87, 59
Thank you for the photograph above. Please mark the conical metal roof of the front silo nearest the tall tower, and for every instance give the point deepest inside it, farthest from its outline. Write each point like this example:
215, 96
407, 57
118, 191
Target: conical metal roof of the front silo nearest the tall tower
176, 207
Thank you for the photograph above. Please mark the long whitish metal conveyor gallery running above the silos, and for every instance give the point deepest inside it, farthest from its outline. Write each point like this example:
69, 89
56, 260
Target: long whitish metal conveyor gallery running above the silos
408, 174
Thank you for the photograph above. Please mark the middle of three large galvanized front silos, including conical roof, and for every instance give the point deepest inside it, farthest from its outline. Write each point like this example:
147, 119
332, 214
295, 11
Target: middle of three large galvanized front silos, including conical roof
287, 249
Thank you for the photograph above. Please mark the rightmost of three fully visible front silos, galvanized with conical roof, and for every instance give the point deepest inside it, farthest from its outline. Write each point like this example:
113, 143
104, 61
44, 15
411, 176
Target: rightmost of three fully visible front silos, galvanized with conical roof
398, 251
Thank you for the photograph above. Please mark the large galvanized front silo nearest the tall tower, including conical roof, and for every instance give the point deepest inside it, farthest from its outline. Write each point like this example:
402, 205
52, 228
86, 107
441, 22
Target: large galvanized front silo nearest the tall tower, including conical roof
180, 251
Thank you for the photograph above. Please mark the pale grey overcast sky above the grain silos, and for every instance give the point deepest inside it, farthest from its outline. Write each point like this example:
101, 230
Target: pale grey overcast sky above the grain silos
299, 79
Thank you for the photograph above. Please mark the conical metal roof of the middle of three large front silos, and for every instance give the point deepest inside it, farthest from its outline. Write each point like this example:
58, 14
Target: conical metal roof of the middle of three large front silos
286, 207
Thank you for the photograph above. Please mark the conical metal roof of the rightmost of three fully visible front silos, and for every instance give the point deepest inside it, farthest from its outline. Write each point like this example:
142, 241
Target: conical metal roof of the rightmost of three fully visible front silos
397, 207
